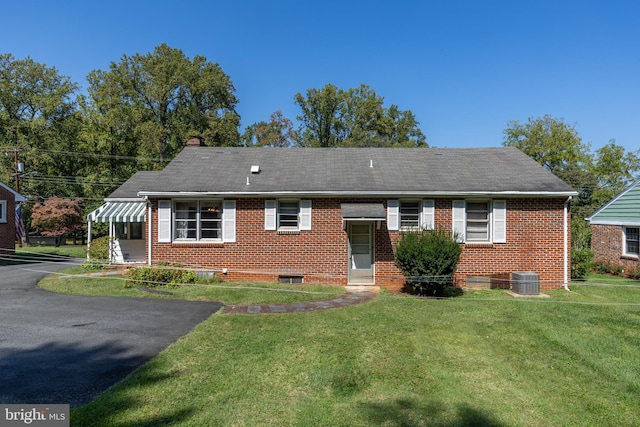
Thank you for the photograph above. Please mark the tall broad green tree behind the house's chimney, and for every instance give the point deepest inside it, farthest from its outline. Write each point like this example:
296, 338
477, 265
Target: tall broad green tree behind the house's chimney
152, 103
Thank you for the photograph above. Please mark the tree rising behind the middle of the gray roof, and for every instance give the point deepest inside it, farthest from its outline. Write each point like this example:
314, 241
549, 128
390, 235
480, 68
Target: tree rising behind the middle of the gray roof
332, 117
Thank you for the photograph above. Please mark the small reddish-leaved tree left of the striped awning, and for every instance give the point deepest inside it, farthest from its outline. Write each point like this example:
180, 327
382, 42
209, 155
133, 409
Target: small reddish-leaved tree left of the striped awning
57, 217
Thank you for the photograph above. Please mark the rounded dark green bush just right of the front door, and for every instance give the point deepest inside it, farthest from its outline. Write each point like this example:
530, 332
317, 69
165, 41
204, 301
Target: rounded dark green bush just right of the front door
428, 258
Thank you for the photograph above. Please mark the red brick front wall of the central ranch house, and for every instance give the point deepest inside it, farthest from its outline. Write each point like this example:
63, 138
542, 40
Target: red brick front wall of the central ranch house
534, 243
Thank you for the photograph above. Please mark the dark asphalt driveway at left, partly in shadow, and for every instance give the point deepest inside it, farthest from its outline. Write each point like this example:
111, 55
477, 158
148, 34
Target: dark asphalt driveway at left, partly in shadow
58, 348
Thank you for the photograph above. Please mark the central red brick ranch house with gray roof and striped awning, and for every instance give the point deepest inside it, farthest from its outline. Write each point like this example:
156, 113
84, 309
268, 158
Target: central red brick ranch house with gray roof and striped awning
332, 215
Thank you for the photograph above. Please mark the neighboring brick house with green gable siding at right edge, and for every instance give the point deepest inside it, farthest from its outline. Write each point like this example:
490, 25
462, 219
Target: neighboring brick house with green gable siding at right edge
615, 230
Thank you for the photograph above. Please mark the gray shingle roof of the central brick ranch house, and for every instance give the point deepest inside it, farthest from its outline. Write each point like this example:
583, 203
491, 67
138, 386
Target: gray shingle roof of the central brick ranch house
349, 171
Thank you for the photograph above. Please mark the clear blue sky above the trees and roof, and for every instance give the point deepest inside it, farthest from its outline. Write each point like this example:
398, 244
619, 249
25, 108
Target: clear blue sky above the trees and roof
464, 68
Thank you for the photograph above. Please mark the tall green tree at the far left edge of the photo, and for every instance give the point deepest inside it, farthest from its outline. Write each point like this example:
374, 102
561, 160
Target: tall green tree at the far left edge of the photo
39, 119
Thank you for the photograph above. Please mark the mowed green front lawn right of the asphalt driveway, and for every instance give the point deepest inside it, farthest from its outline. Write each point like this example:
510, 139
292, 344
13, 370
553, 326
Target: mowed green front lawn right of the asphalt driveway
484, 359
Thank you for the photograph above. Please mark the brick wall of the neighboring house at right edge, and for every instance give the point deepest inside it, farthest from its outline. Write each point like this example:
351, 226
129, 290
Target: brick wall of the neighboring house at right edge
607, 244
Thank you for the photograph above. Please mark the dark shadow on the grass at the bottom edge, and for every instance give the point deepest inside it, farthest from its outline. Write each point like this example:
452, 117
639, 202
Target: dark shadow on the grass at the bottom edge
408, 413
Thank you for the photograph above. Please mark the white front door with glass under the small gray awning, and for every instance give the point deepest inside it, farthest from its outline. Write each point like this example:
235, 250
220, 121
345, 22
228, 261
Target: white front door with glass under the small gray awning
360, 252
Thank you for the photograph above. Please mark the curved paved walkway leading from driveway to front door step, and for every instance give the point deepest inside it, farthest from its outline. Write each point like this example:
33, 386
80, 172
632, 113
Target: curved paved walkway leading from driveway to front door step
352, 297
